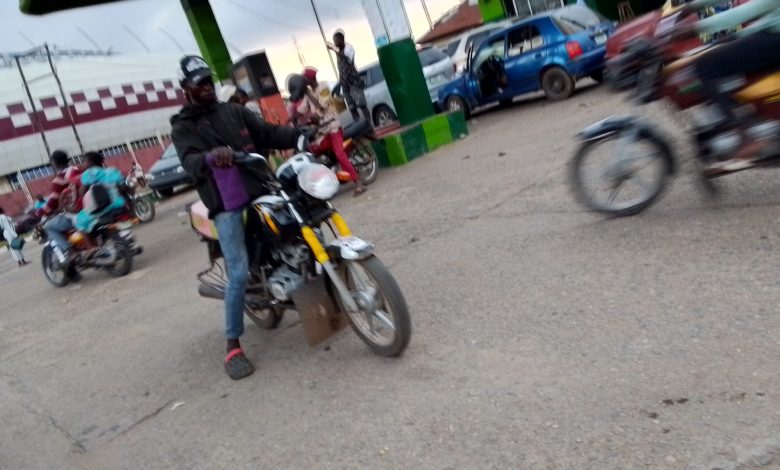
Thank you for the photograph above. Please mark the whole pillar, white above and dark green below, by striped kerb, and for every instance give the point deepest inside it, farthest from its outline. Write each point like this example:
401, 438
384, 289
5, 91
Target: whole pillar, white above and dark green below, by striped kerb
399, 60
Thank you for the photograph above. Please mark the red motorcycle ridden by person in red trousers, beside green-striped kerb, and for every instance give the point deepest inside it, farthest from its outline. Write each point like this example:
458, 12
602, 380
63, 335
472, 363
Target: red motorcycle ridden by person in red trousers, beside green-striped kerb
357, 145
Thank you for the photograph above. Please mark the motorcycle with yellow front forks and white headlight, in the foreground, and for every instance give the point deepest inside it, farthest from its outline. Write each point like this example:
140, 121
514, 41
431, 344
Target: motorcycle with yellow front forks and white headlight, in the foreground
297, 267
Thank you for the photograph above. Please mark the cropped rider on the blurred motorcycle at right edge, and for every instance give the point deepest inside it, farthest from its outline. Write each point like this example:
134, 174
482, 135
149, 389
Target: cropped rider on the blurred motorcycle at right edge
755, 50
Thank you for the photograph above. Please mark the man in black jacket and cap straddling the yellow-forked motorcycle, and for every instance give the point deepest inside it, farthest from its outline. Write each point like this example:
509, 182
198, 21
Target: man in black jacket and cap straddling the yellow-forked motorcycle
206, 133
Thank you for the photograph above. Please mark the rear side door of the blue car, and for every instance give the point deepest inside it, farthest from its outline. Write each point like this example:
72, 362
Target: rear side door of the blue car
526, 52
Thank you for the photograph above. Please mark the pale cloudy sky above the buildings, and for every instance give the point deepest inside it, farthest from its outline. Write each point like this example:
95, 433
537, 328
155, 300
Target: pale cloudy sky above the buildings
132, 26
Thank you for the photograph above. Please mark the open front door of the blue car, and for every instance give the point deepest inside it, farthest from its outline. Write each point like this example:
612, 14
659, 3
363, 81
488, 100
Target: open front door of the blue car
484, 83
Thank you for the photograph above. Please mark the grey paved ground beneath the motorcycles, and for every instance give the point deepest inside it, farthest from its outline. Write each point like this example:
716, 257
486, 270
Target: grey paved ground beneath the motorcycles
545, 336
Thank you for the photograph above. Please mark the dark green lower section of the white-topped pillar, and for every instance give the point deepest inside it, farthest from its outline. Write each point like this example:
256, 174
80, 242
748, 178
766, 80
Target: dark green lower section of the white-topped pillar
405, 80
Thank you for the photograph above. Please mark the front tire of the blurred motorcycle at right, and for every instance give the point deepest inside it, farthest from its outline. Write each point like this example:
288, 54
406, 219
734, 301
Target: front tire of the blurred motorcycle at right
584, 195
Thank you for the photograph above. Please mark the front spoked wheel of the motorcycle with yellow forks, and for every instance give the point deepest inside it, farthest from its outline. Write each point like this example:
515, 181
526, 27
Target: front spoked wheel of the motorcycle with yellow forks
382, 321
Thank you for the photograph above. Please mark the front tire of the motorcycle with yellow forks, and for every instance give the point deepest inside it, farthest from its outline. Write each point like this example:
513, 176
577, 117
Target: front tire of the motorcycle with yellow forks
393, 300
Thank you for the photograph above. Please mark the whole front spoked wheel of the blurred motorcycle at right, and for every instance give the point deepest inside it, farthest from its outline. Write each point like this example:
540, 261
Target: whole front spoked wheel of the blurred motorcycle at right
620, 177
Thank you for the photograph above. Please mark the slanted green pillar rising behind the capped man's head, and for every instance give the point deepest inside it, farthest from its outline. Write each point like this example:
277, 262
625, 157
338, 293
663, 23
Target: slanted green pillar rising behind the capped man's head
209, 38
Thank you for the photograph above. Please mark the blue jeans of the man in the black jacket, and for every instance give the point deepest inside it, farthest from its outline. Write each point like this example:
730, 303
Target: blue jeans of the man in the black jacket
232, 241
